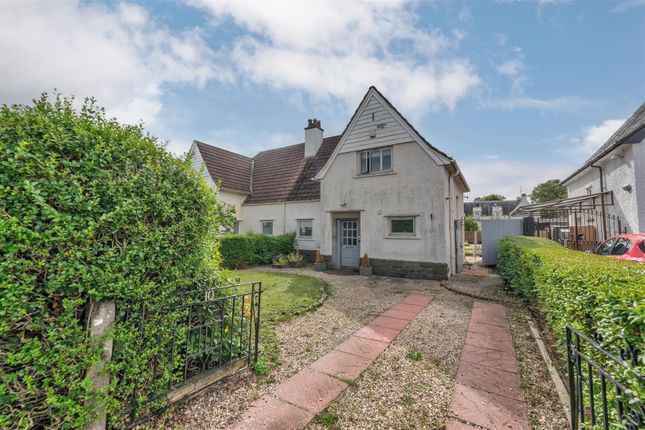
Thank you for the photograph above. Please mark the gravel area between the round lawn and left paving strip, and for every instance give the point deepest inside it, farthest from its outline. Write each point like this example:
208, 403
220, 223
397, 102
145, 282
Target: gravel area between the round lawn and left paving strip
354, 301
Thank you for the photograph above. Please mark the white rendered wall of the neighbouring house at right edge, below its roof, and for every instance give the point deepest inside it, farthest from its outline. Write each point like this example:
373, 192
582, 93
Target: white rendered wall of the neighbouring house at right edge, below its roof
617, 172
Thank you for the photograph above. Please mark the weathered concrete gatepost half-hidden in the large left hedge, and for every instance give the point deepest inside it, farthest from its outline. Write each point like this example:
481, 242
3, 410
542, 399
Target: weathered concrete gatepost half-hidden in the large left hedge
101, 320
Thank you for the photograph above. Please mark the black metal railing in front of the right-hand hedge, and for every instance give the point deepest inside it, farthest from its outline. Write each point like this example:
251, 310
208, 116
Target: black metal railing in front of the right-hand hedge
605, 391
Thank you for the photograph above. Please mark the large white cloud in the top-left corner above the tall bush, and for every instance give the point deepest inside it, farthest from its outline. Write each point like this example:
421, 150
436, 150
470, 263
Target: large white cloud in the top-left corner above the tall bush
120, 55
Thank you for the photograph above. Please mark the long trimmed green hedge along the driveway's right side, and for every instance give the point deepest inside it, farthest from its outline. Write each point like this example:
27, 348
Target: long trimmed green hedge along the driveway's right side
591, 293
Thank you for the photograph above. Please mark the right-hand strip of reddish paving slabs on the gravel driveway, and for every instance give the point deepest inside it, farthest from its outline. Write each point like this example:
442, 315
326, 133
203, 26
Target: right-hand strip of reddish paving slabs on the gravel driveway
487, 391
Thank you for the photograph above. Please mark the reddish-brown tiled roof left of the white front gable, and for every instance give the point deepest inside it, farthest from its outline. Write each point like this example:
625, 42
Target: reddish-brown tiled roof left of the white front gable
277, 175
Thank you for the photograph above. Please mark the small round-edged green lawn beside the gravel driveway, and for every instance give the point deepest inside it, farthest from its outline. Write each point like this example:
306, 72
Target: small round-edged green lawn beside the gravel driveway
284, 294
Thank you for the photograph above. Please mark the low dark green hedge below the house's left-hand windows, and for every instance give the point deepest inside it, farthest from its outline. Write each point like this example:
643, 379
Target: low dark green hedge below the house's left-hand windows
238, 250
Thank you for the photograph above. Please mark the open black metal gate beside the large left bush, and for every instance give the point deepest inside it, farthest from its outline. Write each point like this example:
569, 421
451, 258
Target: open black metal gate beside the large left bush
185, 342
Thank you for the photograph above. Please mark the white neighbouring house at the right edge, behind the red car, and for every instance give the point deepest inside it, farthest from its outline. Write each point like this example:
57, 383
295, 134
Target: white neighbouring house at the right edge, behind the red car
615, 173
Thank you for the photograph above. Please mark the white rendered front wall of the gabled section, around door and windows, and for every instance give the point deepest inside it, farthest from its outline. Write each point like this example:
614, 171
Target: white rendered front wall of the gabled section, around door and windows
415, 187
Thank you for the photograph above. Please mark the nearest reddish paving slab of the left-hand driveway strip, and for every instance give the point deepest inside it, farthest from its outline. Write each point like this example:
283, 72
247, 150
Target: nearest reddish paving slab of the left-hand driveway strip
270, 413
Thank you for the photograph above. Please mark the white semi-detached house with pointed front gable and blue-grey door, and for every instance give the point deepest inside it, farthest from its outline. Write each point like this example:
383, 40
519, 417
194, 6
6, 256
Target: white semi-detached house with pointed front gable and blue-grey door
379, 188
